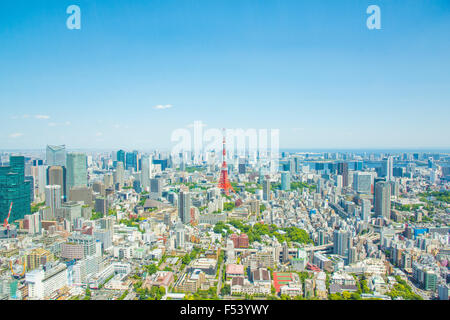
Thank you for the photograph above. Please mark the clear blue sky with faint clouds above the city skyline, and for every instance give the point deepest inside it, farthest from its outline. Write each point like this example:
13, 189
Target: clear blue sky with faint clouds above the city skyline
309, 68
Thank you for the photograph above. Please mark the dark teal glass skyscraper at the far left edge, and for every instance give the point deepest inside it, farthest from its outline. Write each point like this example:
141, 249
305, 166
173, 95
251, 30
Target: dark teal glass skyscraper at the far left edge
14, 188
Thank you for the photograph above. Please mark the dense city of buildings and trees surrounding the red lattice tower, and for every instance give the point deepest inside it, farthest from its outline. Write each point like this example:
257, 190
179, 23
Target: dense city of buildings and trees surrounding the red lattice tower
130, 225
